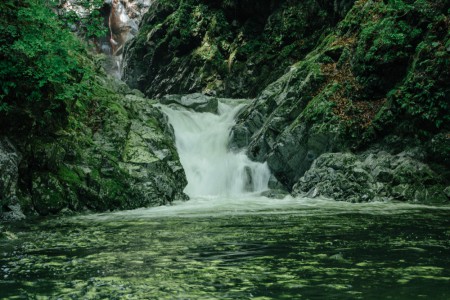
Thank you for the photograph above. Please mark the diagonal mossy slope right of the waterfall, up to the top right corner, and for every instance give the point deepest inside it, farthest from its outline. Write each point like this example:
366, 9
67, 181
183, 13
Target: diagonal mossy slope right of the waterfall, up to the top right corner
378, 82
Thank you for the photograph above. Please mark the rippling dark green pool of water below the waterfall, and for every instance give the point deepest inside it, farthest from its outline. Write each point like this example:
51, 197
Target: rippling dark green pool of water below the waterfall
290, 249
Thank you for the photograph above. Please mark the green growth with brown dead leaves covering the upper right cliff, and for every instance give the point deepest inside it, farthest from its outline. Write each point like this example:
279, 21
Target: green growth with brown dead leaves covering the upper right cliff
380, 46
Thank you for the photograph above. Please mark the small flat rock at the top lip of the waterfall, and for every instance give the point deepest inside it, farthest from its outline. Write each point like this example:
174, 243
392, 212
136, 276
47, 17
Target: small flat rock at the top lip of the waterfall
197, 102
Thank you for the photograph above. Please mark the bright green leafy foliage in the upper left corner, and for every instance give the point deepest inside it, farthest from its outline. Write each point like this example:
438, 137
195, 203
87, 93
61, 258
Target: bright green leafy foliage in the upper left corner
42, 74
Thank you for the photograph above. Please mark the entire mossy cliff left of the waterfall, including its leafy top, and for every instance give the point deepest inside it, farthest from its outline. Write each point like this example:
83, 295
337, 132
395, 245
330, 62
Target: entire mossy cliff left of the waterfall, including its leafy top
70, 136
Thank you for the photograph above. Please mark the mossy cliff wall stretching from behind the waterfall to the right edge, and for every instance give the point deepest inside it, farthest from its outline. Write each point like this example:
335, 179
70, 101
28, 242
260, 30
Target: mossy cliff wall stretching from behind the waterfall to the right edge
368, 78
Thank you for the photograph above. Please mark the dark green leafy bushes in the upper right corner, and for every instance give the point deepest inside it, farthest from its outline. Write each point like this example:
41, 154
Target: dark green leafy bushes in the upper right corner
401, 53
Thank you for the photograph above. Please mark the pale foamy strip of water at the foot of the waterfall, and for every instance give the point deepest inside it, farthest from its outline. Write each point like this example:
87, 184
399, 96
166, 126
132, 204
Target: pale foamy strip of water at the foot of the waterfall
233, 206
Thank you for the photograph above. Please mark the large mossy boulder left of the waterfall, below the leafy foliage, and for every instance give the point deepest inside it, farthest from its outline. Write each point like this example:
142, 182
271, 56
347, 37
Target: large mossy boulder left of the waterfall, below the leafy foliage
123, 157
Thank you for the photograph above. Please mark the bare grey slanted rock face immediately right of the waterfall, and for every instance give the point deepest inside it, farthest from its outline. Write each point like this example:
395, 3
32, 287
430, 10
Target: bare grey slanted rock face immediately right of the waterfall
274, 127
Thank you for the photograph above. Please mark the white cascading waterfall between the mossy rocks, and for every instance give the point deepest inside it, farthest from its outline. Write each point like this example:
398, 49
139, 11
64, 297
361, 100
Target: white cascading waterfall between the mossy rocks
211, 168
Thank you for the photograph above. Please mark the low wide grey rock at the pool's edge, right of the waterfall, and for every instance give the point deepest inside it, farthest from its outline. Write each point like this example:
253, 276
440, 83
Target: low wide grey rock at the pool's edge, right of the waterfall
371, 177
